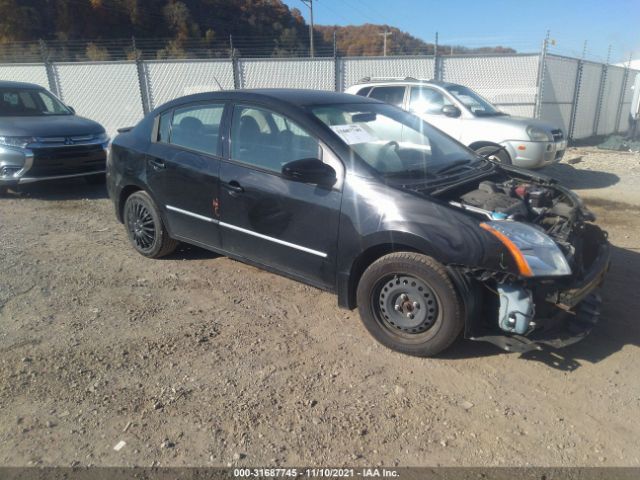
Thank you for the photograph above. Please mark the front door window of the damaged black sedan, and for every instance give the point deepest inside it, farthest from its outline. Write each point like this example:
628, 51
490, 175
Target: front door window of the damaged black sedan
269, 140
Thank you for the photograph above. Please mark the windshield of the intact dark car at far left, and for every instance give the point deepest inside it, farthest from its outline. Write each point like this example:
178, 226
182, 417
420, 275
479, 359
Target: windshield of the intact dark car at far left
22, 102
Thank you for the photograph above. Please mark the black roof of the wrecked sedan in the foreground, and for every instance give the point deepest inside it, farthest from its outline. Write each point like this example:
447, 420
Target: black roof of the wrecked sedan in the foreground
290, 97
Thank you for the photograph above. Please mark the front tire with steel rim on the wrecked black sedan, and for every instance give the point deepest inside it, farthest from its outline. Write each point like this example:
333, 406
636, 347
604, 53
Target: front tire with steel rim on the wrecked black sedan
409, 304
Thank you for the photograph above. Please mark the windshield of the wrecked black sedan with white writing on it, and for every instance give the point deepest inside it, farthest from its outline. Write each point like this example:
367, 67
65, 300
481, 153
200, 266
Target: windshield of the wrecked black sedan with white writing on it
393, 142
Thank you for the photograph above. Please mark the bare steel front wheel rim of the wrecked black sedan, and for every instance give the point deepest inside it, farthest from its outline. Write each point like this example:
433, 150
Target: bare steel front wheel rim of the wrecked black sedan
406, 304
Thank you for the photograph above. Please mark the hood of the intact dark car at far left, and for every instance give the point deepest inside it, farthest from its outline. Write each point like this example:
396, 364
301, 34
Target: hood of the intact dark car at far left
48, 126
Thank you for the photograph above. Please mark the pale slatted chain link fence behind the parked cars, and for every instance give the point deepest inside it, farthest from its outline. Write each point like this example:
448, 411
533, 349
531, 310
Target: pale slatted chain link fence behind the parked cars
582, 97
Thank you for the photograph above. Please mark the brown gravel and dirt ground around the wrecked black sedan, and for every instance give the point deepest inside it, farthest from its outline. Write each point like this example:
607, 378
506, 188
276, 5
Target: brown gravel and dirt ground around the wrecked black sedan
201, 360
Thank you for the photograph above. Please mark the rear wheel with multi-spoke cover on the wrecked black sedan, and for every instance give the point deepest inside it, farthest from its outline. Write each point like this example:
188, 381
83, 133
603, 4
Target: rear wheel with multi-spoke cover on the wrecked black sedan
145, 228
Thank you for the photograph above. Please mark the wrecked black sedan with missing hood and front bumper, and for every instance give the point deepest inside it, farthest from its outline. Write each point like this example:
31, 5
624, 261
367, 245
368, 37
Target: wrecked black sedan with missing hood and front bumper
360, 198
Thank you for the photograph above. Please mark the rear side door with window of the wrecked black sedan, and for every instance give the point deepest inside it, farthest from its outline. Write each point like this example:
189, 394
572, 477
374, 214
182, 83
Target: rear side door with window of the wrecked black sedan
183, 167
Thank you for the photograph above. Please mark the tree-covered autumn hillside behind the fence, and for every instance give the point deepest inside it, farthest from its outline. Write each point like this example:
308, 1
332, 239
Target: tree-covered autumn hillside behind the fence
103, 30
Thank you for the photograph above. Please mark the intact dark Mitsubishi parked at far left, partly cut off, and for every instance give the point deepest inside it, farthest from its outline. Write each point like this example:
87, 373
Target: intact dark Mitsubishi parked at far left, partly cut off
43, 139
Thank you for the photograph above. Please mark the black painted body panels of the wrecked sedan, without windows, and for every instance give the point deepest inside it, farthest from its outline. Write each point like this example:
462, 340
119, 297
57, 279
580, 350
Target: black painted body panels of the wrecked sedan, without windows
347, 226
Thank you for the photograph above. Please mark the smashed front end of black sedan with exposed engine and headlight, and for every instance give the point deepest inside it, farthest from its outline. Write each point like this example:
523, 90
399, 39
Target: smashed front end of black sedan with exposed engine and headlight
554, 260
